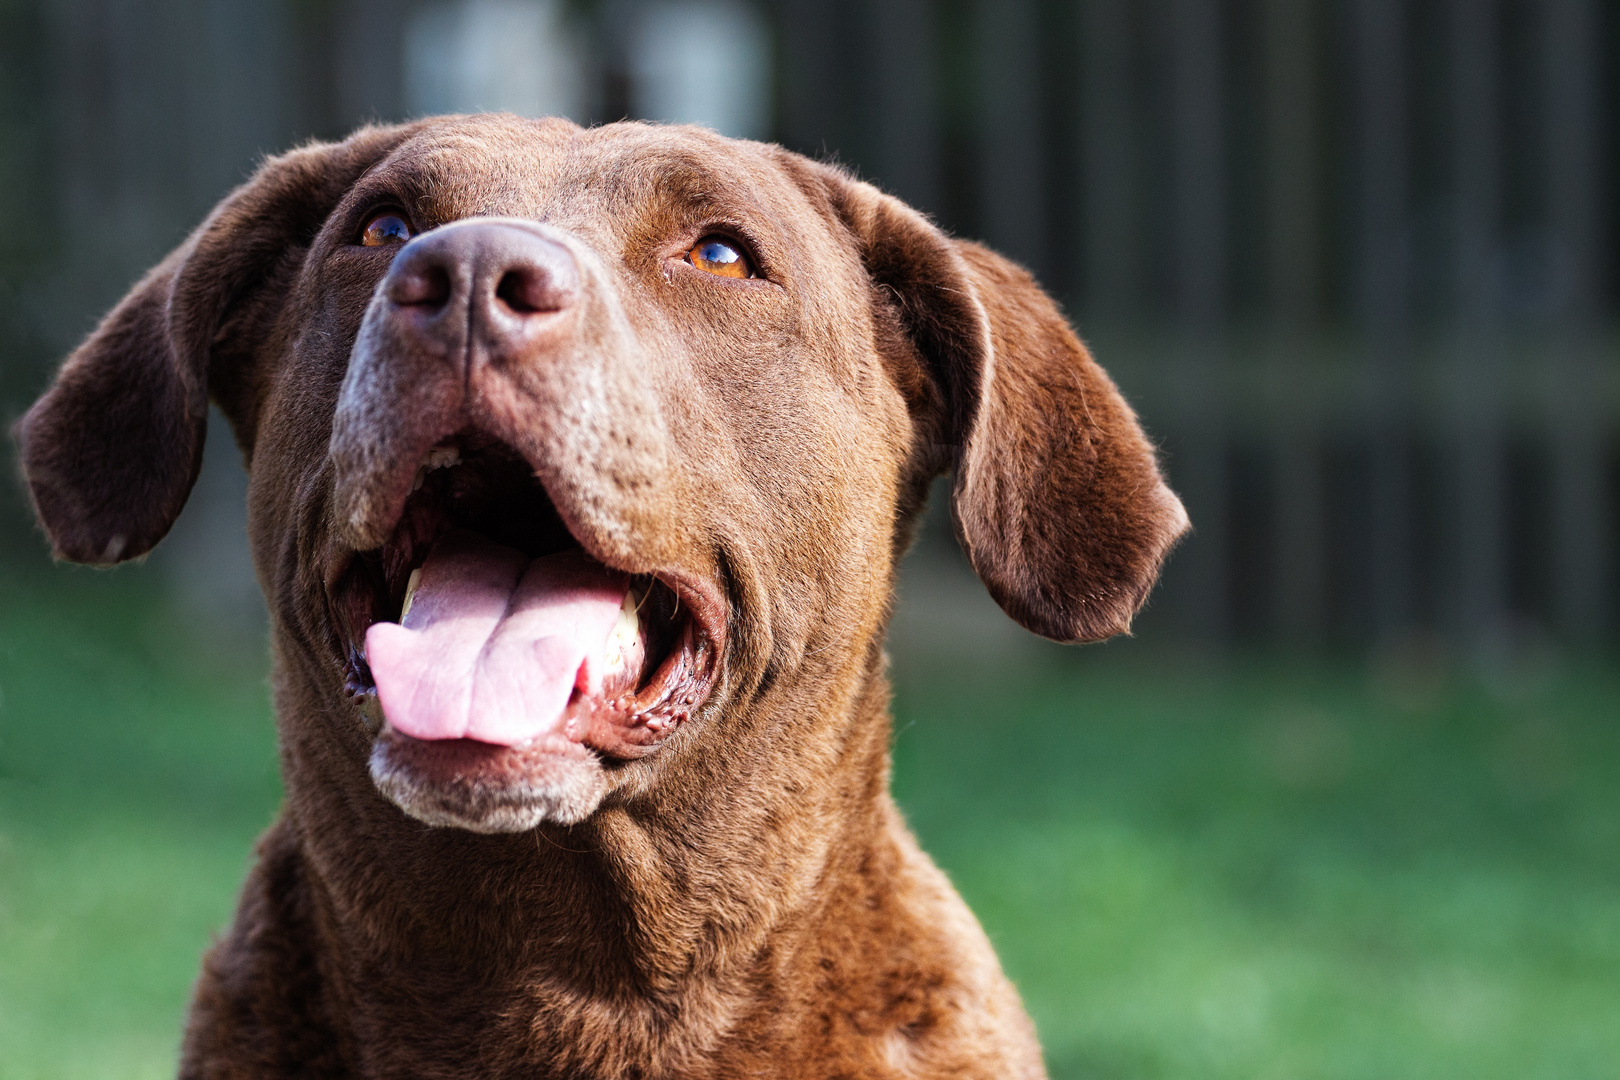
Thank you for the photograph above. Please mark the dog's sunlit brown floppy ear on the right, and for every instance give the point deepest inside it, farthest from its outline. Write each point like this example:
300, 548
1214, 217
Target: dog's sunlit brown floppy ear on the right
1057, 495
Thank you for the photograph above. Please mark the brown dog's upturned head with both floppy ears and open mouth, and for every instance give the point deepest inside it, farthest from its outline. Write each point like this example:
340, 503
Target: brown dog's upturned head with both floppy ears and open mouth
571, 448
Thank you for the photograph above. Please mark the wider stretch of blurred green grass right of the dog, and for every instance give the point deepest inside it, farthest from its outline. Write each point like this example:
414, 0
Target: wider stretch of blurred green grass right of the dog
1285, 874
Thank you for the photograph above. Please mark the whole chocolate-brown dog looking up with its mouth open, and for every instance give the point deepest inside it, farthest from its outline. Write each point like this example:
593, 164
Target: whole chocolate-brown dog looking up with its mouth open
636, 422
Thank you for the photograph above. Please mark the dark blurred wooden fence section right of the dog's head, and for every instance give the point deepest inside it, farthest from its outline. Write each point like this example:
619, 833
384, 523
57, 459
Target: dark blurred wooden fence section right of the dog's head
1352, 258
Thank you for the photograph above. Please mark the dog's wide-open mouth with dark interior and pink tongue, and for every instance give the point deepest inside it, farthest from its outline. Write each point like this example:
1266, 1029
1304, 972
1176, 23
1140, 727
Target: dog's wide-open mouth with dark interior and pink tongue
484, 624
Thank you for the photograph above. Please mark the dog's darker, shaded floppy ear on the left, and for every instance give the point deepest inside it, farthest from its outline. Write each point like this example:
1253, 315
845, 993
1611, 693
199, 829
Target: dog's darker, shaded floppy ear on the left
114, 446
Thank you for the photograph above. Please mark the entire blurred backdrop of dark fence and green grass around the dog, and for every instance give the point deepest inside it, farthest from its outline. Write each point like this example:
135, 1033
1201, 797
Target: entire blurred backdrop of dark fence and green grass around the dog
1350, 802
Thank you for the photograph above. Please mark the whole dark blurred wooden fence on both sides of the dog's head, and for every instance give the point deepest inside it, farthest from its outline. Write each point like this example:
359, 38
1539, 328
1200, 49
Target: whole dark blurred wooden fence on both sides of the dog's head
1352, 258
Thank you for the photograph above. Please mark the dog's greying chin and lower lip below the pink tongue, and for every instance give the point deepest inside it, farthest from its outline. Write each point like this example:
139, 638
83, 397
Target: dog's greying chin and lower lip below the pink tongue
482, 788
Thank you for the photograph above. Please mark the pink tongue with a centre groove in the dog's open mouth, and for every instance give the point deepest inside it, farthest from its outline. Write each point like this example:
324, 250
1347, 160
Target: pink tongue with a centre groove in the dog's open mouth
495, 645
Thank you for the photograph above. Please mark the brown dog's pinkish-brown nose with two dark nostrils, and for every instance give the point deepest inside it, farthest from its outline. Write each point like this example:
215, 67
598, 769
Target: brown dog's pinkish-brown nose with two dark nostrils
497, 283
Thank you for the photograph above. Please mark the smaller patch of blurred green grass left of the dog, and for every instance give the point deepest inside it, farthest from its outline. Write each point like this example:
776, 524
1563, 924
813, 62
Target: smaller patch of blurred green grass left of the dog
137, 767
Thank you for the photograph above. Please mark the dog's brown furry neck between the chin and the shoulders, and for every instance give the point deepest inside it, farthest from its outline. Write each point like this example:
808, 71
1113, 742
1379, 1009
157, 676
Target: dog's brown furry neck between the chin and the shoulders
599, 940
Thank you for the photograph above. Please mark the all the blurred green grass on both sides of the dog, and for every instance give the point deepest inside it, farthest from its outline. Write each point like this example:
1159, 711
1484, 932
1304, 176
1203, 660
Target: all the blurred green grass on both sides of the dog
1251, 870
